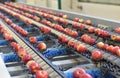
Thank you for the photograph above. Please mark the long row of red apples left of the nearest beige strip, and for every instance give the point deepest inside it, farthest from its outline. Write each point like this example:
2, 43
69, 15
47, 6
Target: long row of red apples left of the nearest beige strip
33, 66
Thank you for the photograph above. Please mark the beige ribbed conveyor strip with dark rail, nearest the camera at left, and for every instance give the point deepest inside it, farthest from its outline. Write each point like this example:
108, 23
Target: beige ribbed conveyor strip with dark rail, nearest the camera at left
53, 73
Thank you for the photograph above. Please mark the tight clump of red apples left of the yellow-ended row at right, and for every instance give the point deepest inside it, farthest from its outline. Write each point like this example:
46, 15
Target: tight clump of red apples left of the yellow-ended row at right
88, 39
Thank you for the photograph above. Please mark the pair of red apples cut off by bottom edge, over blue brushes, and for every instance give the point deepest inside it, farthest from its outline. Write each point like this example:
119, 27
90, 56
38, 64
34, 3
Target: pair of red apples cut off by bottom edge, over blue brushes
81, 73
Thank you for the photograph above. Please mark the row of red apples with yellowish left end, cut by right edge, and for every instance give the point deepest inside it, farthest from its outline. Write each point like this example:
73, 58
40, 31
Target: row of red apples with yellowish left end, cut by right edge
109, 48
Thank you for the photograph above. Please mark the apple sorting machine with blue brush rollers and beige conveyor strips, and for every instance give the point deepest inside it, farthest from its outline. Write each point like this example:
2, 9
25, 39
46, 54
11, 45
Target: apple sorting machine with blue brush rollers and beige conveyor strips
59, 60
